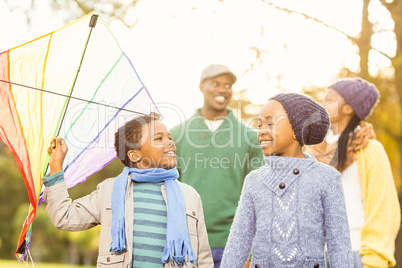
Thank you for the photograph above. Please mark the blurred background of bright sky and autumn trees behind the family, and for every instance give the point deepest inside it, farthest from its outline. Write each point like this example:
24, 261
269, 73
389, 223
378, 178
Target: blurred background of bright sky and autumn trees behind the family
272, 47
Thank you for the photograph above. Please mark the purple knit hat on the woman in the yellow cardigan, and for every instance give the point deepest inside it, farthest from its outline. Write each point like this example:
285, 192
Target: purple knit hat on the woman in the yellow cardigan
361, 95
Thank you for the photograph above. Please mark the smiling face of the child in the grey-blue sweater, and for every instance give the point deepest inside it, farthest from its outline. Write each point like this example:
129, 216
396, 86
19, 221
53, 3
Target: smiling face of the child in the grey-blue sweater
275, 132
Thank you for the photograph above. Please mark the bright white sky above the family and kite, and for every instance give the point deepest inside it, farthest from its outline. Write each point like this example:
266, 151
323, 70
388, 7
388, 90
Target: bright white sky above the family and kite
174, 40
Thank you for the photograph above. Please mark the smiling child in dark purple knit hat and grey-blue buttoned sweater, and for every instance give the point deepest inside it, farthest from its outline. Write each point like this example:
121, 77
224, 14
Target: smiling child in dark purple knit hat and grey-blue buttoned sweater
293, 205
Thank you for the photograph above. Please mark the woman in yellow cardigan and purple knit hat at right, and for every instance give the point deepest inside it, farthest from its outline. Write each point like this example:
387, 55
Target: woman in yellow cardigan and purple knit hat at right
371, 198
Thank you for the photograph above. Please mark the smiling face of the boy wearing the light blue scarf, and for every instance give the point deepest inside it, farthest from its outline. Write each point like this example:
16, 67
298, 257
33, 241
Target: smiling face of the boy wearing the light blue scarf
158, 149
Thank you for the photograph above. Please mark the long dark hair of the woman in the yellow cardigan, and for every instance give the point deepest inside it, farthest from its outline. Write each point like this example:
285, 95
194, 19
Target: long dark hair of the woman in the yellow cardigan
340, 155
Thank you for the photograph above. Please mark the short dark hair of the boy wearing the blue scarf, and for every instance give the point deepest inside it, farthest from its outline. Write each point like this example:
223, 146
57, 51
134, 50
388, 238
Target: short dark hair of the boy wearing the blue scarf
128, 137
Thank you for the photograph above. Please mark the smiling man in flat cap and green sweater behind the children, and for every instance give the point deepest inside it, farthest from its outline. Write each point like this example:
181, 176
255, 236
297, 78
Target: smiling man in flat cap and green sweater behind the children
215, 152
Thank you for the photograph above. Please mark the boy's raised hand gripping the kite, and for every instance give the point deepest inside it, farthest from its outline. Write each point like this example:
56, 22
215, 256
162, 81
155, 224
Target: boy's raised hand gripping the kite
57, 151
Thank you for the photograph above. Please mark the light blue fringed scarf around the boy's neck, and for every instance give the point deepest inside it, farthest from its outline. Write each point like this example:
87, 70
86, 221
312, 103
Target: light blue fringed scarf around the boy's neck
177, 239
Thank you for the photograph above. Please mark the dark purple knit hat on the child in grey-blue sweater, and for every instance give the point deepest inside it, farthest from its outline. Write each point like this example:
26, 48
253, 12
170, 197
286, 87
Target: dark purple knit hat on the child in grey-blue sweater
309, 120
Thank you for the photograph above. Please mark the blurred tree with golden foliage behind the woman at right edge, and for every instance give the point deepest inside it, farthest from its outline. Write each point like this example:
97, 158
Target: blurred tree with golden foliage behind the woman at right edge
388, 81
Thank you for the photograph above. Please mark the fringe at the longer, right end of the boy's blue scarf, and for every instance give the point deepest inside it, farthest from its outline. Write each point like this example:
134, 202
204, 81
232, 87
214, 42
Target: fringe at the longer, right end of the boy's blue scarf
176, 251
